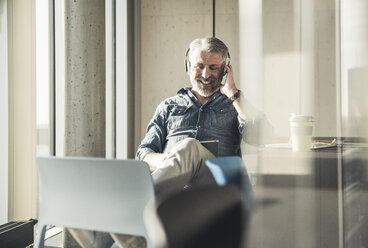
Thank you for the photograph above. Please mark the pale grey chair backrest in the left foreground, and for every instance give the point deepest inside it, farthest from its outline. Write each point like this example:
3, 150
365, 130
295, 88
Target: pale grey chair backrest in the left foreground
95, 194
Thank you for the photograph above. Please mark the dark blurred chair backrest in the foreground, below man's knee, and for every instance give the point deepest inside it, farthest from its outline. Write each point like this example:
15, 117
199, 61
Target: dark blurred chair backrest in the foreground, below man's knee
209, 216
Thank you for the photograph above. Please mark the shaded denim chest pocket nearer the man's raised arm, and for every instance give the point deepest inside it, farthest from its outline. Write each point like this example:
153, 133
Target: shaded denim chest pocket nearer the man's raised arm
222, 117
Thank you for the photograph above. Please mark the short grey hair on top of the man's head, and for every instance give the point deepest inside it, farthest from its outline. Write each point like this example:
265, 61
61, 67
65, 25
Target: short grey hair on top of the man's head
209, 44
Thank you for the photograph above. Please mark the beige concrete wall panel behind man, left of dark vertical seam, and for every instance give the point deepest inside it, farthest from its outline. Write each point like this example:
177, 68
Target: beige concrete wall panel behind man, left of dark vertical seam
167, 28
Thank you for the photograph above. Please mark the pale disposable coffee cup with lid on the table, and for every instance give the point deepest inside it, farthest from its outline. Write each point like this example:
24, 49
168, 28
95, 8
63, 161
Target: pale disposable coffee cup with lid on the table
301, 129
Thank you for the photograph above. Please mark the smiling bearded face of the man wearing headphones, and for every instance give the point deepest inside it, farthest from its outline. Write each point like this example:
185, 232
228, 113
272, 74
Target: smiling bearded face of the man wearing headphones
205, 71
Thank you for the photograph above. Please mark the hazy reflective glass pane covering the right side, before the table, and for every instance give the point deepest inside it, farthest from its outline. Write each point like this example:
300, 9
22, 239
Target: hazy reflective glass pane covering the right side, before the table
306, 58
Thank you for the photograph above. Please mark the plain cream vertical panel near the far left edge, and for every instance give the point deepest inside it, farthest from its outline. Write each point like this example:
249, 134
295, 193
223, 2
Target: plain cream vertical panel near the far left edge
22, 111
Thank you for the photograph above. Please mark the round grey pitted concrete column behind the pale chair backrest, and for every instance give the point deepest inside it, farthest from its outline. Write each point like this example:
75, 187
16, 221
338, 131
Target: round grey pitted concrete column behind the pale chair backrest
85, 78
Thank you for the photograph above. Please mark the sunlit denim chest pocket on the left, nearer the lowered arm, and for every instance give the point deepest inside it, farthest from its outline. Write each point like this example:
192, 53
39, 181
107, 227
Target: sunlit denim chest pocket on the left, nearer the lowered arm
179, 117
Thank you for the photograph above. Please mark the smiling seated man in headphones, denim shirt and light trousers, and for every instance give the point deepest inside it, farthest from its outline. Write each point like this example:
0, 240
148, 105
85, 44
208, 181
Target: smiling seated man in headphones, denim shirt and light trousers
209, 110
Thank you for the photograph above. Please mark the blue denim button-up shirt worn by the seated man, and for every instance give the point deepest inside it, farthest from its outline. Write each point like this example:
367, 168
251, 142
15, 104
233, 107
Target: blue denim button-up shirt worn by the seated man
182, 116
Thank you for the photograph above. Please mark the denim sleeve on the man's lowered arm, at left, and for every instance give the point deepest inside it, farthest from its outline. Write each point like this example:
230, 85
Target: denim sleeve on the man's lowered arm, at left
155, 138
